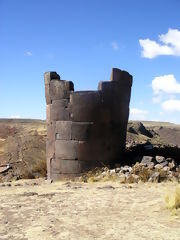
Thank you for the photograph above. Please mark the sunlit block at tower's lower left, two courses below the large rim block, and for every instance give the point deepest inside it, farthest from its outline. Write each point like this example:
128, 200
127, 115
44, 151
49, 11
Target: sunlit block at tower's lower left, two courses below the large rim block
65, 149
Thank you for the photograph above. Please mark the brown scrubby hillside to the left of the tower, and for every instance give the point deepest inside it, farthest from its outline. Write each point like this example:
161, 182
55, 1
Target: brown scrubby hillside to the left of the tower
22, 145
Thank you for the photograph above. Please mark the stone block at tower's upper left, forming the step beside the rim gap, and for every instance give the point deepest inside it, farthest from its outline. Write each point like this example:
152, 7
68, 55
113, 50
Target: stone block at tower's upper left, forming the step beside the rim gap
59, 89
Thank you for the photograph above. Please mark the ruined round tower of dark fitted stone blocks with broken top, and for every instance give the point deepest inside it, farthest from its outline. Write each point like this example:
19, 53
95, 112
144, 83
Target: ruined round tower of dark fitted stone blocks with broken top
85, 129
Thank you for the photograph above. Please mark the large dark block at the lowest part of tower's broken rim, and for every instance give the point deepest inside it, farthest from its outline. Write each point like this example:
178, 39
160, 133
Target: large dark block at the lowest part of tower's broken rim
85, 106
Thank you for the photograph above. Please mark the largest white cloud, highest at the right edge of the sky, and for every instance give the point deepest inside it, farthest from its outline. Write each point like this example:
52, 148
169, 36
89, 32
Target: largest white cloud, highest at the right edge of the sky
169, 45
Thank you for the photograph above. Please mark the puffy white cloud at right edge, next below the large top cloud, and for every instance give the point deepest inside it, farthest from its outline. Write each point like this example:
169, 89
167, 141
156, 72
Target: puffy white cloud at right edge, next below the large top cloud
165, 84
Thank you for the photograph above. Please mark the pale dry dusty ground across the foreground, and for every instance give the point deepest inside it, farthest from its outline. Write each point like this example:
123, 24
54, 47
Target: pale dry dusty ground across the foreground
74, 210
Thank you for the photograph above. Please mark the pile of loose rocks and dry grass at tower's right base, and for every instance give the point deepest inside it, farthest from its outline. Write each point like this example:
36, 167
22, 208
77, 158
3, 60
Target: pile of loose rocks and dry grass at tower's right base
149, 169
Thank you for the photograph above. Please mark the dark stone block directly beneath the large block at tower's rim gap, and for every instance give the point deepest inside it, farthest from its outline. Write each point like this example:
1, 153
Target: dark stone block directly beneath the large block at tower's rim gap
81, 130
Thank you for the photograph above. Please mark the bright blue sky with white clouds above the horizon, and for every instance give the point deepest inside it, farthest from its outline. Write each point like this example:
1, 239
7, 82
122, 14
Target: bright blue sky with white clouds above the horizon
82, 40
